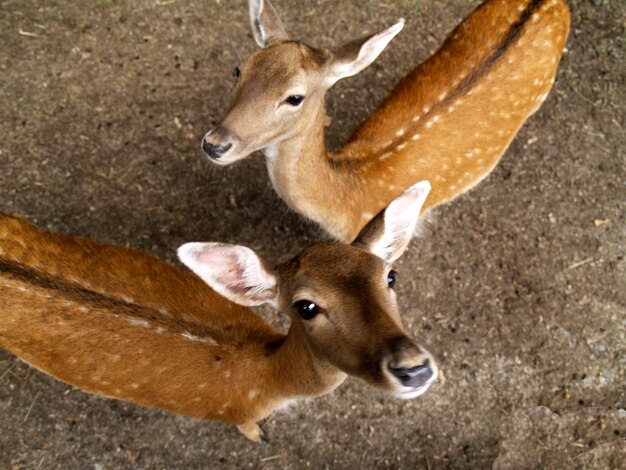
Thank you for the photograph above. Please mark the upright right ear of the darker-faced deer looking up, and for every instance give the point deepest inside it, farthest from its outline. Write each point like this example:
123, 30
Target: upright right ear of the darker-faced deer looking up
388, 234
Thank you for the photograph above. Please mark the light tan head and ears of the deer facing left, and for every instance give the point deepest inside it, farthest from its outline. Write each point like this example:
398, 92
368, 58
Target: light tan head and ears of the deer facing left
280, 88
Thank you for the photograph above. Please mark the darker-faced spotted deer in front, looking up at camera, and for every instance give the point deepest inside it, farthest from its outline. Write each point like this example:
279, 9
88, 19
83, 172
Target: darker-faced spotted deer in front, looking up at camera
120, 323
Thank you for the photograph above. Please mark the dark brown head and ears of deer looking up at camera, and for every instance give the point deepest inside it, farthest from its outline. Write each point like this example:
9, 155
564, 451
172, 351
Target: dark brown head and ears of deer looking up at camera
346, 312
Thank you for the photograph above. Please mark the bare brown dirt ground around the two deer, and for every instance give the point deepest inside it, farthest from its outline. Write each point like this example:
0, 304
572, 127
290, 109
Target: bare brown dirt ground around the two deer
517, 288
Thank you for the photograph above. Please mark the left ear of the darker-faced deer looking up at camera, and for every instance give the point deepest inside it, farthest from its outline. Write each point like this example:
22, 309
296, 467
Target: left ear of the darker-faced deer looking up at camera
233, 271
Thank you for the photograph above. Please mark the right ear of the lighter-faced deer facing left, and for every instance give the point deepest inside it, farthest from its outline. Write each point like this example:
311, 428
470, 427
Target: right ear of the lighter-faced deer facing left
354, 56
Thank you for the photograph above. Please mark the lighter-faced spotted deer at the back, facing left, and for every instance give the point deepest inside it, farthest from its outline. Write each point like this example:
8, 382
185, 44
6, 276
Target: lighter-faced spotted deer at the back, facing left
448, 121
